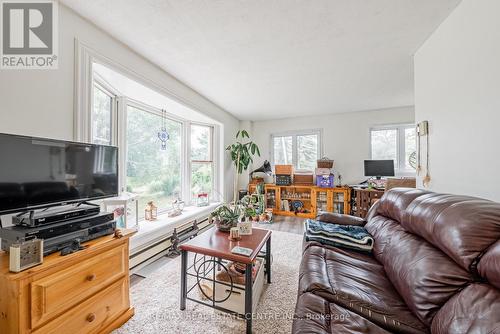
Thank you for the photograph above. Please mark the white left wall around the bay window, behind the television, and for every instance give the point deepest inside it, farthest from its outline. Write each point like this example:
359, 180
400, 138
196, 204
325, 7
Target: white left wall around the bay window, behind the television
40, 102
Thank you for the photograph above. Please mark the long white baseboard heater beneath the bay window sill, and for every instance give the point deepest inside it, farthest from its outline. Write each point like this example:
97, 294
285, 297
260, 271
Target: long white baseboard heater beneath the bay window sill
169, 245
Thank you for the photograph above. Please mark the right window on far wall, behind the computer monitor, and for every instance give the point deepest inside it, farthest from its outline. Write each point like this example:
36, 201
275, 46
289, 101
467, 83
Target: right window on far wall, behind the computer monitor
394, 142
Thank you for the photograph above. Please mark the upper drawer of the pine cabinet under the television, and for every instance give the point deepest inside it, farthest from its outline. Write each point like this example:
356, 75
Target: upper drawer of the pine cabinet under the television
53, 294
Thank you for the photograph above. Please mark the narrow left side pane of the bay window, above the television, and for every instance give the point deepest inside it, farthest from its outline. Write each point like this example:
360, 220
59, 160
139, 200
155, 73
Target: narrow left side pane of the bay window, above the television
101, 117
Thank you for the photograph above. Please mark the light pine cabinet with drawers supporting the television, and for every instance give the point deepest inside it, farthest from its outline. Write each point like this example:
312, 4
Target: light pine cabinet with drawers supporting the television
85, 292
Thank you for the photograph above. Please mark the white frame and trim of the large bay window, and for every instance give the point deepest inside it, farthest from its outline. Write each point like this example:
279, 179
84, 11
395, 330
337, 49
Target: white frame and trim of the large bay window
85, 57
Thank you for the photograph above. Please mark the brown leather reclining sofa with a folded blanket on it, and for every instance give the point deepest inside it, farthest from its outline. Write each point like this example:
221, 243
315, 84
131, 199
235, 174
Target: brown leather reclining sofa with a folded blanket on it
435, 268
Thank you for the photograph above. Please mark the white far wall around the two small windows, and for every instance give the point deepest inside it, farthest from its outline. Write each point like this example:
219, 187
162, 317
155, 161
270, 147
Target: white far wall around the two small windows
346, 136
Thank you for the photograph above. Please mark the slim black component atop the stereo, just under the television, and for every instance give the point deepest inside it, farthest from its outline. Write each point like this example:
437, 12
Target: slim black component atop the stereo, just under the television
55, 215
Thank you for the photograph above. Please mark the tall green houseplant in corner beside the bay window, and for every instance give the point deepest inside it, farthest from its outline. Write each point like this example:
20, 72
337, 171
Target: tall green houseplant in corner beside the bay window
242, 153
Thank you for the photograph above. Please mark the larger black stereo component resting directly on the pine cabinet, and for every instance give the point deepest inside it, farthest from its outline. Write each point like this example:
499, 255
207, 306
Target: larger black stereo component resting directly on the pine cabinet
60, 235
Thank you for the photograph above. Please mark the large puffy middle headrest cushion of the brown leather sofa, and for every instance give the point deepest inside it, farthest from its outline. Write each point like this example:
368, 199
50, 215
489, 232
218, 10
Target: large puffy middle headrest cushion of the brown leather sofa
461, 226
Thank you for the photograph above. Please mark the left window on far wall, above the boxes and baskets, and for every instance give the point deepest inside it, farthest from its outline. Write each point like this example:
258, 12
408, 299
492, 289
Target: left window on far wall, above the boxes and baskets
300, 149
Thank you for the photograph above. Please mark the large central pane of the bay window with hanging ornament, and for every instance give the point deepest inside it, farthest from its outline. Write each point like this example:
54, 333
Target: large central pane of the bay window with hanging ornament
152, 173
